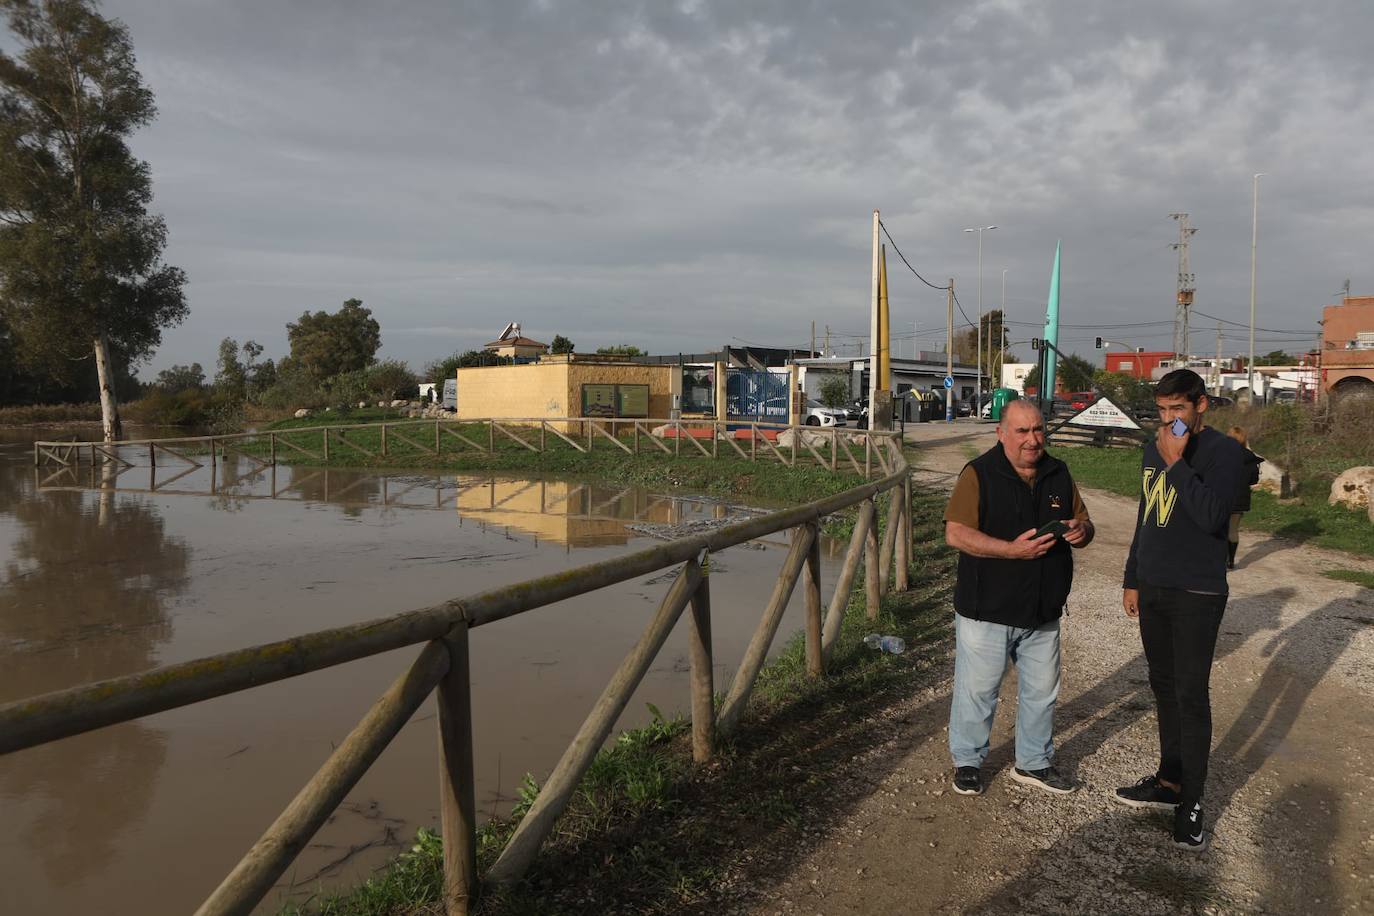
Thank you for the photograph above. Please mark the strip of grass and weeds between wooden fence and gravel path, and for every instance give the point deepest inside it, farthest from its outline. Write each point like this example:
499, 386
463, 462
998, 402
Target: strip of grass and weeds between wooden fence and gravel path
651, 833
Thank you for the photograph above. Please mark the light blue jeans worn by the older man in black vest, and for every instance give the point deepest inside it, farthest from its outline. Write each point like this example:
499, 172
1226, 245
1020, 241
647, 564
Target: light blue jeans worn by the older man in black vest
980, 660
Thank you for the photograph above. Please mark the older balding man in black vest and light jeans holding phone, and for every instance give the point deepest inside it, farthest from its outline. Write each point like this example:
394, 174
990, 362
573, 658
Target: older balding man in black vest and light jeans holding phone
1015, 516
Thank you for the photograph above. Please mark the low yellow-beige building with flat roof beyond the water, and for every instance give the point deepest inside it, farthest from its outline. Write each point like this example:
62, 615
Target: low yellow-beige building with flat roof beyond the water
571, 385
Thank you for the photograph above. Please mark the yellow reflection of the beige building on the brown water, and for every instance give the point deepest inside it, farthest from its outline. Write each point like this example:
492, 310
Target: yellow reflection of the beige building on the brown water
570, 513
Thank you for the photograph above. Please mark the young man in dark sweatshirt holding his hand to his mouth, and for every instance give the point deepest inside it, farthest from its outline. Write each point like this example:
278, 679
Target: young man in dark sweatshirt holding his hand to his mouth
1175, 586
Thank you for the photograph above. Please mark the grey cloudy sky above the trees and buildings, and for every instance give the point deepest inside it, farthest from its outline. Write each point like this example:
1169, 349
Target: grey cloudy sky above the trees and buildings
688, 175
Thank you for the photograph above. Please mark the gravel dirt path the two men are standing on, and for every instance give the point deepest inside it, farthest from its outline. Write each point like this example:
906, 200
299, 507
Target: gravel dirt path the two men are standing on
1292, 786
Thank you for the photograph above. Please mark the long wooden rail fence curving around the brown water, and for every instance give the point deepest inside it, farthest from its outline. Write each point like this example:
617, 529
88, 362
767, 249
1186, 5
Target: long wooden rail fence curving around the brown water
444, 631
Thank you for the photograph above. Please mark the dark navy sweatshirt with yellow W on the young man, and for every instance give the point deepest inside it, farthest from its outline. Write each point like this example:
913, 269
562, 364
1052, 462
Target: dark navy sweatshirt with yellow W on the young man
1181, 524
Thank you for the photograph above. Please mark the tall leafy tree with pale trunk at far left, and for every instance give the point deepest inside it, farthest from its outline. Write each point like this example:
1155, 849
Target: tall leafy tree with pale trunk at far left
80, 256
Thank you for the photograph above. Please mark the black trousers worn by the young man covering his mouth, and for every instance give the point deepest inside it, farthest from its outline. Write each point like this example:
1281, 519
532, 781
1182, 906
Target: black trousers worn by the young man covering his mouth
1180, 634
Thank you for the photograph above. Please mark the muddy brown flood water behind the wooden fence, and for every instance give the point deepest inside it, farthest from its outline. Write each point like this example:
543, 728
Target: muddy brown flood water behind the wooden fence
102, 577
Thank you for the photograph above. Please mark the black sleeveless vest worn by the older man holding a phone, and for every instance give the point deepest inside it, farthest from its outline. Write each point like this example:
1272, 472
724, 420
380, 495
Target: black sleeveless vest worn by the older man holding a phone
1022, 594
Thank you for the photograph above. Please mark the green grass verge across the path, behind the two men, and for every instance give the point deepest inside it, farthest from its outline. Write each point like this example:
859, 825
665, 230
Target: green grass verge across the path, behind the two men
1309, 520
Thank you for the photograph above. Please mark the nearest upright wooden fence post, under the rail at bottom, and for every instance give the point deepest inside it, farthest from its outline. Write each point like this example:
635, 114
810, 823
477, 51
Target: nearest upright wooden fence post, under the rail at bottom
457, 793
